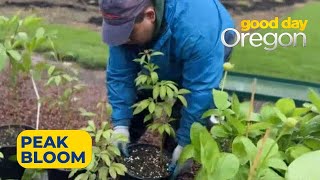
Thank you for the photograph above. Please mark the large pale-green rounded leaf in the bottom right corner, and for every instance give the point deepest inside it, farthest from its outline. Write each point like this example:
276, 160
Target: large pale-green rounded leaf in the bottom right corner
305, 167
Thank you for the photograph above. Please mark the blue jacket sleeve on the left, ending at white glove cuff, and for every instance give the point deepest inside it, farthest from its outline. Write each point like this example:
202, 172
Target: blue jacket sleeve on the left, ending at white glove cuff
121, 72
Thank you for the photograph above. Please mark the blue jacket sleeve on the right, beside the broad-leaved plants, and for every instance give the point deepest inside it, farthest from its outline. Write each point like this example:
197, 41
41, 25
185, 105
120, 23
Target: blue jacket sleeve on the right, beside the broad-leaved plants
202, 72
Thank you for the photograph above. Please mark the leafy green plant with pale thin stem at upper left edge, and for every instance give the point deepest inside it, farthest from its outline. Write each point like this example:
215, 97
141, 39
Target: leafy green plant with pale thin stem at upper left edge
17, 47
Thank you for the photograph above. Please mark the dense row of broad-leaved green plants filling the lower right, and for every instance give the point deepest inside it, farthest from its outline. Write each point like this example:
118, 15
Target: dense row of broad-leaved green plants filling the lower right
281, 141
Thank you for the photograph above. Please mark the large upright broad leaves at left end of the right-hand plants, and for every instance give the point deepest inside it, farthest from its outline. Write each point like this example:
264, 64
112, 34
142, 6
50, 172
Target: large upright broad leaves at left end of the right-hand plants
204, 150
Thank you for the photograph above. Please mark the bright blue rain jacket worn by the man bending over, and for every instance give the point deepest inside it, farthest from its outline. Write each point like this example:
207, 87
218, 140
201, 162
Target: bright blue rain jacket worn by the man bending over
193, 57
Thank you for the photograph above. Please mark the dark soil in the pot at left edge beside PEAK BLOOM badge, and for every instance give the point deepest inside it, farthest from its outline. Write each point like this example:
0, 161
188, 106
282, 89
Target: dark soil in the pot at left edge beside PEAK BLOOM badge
8, 135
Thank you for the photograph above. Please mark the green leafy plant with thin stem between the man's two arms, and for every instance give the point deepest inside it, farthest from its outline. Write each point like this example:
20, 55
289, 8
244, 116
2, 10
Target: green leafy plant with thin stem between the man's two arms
164, 96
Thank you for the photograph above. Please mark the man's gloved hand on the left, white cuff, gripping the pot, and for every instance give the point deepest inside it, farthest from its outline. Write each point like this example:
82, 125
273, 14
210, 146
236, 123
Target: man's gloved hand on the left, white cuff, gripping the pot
123, 146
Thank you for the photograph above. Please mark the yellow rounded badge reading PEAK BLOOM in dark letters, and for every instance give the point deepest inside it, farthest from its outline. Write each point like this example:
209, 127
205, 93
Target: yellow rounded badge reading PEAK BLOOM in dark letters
54, 149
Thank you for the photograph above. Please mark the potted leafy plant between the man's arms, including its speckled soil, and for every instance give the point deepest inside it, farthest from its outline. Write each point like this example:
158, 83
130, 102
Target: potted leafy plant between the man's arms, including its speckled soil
159, 107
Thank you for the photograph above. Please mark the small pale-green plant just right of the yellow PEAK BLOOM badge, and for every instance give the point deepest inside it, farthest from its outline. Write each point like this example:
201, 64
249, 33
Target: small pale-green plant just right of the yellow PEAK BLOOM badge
106, 156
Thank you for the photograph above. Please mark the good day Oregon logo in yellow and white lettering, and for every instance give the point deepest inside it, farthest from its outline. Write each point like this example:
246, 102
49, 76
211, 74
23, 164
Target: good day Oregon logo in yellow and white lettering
269, 40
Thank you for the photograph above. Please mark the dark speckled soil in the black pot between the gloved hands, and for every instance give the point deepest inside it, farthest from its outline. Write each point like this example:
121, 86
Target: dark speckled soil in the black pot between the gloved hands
145, 162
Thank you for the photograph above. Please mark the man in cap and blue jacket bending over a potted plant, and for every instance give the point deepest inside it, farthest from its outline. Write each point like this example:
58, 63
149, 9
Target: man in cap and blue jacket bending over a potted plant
188, 33
